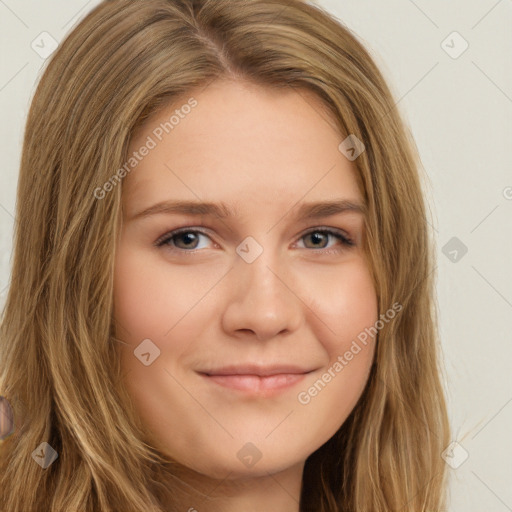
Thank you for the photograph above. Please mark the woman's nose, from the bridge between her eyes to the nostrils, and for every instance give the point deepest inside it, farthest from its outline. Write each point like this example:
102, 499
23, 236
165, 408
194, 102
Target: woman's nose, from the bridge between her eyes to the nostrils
261, 299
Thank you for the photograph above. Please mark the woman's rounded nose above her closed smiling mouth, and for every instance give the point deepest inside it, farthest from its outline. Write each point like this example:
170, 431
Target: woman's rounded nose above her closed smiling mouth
262, 300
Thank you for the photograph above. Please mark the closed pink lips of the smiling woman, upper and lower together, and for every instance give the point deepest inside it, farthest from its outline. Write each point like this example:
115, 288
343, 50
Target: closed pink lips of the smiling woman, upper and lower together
254, 379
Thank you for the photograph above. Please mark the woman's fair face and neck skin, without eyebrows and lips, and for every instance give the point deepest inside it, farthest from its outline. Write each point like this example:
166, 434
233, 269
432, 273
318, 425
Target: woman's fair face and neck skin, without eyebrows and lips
264, 153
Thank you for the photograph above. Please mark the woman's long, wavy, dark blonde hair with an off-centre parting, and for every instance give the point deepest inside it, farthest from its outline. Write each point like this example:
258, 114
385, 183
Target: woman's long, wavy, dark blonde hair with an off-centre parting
59, 360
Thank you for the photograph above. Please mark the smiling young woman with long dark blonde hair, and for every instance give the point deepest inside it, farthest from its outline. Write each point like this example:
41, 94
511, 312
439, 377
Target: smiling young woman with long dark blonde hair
222, 290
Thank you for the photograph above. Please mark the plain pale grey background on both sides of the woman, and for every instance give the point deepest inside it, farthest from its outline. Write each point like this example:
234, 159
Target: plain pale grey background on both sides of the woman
459, 110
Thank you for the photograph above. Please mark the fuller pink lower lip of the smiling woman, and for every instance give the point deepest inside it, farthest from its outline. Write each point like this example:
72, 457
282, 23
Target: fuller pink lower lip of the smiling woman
256, 384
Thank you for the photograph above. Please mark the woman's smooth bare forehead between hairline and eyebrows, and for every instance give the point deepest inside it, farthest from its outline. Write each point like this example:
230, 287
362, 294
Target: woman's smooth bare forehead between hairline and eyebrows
241, 143
